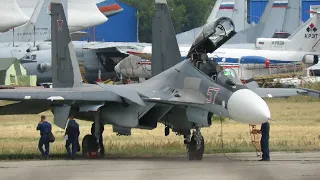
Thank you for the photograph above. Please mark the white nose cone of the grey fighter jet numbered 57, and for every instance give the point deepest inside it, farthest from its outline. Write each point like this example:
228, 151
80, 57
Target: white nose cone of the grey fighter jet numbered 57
245, 106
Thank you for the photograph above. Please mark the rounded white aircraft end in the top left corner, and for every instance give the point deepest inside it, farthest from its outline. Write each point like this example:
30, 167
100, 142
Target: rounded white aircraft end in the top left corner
11, 15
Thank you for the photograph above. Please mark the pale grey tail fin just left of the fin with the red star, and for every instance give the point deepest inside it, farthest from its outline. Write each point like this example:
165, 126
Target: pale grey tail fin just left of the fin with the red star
37, 29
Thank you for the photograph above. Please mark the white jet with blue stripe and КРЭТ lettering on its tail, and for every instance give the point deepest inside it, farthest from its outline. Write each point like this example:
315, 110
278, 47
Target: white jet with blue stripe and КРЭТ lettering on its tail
269, 56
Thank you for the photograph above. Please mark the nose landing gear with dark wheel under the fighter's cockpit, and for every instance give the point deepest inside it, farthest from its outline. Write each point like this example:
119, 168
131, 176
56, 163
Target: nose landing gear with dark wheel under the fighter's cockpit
195, 145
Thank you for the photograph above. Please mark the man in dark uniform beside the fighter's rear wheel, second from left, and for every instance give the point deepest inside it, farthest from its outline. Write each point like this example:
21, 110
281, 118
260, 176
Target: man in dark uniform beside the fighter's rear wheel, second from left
73, 133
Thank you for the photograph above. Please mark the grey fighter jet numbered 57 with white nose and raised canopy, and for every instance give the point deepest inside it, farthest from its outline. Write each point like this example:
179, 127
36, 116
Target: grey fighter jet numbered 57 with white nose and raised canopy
179, 94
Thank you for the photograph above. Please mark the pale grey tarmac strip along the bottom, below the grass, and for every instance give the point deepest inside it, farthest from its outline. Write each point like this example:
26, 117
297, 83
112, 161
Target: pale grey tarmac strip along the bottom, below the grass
244, 166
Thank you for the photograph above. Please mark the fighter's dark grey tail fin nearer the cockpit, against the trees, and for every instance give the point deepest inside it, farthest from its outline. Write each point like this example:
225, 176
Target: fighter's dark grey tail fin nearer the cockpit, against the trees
165, 49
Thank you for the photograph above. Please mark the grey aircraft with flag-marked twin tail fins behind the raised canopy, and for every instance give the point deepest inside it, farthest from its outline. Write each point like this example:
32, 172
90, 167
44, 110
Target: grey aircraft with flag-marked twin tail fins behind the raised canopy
280, 18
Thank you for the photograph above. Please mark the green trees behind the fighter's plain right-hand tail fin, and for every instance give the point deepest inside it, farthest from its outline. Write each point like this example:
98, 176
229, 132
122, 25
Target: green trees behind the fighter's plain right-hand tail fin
186, 15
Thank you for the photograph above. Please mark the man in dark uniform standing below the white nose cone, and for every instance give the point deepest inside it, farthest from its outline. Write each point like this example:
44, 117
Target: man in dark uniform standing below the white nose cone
265, 129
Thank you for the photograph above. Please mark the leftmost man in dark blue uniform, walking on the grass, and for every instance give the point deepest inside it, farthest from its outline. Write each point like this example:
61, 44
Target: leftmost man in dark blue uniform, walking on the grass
45, 128
